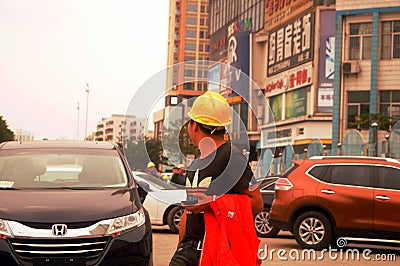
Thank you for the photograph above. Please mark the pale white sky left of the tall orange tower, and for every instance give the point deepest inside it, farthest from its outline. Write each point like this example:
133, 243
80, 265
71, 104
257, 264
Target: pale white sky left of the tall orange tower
50, 49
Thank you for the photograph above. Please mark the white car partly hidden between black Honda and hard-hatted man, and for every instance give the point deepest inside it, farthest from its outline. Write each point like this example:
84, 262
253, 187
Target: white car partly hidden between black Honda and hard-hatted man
163, 201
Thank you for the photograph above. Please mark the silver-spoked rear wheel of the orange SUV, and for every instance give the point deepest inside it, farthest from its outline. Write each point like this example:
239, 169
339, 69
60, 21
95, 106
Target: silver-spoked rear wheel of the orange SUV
313, 230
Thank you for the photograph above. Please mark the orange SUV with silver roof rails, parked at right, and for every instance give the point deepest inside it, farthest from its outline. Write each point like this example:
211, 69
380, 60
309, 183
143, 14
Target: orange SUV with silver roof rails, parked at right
323, 198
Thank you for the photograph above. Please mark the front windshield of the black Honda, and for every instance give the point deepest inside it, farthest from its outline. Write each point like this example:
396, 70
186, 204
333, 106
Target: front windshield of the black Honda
54, 168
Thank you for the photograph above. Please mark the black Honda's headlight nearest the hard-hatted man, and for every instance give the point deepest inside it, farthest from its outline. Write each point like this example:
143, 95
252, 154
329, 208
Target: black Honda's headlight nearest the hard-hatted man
126, 223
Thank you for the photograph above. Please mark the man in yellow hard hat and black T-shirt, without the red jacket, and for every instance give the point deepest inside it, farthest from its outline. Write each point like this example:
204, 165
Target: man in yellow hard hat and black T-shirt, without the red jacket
221, 167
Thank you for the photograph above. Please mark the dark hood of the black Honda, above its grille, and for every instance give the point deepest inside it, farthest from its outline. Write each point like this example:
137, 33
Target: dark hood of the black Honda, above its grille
61, 205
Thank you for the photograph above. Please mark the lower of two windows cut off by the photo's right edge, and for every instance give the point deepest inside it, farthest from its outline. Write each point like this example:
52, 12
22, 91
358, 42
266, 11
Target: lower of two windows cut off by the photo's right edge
390, 104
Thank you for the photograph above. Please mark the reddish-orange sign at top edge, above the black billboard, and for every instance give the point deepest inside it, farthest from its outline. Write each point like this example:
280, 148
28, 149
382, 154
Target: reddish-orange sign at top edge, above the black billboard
279, 11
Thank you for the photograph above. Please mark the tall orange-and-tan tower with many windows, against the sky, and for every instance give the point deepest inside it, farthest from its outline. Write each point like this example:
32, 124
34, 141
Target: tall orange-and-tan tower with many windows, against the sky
188, 45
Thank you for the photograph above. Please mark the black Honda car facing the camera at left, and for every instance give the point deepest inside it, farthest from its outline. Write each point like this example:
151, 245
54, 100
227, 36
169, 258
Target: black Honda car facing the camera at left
70, 203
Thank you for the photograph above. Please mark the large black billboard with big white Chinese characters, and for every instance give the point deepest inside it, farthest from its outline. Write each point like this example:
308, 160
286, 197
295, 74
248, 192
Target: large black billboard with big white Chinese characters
291, 44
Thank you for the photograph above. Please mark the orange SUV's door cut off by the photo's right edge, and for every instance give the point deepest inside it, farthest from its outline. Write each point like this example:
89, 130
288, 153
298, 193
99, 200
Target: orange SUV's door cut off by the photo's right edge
387, 199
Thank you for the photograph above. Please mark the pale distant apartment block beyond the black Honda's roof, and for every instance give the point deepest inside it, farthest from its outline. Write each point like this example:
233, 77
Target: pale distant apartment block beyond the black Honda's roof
120, 128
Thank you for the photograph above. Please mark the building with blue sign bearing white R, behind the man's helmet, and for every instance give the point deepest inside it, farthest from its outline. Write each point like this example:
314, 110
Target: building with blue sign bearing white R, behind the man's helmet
234, 28
